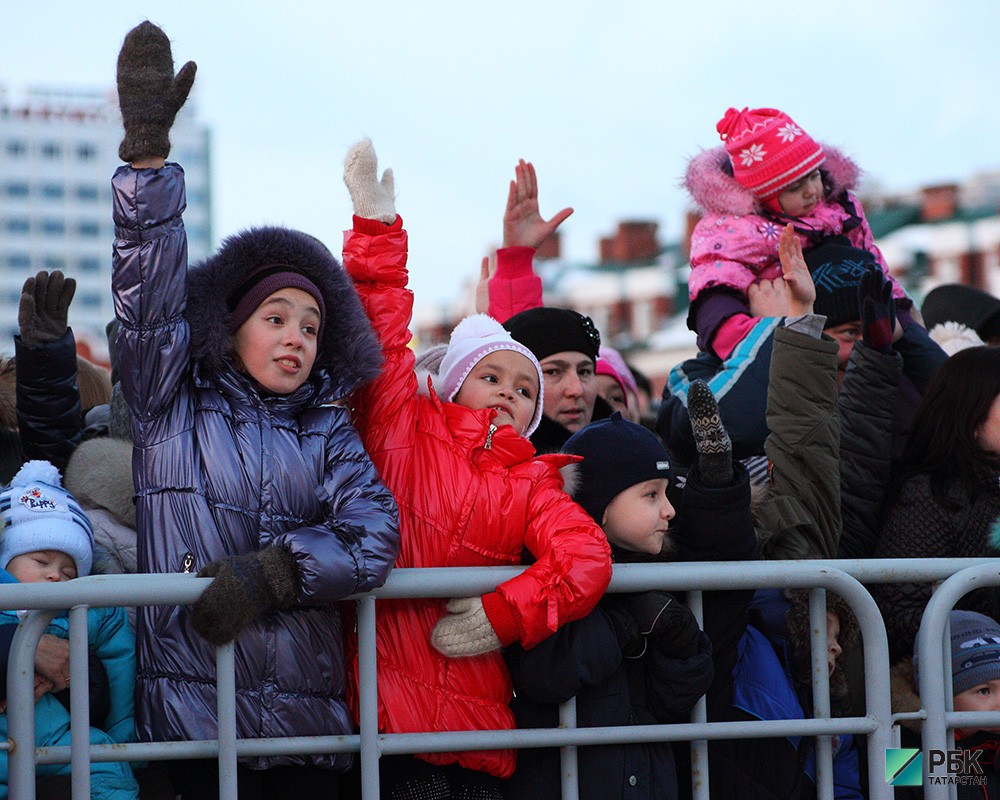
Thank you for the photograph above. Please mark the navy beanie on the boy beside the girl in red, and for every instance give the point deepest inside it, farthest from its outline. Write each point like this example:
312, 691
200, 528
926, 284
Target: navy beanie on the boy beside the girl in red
616, 454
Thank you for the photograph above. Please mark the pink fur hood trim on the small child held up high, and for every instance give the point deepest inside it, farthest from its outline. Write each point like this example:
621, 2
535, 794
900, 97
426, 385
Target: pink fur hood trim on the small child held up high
715, 191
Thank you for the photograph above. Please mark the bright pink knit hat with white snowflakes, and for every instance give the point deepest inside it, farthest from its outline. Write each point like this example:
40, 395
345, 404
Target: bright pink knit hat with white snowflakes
767, 149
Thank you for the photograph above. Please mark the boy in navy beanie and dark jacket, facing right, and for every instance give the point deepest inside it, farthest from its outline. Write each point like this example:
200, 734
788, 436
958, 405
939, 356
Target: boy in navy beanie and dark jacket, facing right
640, 639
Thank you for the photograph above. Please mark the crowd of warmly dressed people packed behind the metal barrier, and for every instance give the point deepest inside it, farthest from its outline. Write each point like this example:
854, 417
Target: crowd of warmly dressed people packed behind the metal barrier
267, 424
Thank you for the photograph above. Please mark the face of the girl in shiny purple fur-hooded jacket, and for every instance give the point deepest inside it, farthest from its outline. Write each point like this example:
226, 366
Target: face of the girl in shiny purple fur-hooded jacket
277, 344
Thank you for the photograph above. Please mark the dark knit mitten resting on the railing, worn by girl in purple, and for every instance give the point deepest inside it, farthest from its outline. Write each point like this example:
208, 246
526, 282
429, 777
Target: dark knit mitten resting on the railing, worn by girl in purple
245, 588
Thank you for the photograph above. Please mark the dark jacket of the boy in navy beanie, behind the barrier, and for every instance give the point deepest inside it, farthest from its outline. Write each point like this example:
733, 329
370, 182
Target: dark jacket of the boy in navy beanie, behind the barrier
584, 659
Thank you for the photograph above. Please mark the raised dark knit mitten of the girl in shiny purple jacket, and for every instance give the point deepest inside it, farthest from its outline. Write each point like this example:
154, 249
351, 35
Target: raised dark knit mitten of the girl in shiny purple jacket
148, 92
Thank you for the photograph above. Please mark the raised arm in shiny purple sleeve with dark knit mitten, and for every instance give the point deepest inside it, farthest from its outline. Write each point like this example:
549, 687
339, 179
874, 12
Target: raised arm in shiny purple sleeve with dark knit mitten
150, 250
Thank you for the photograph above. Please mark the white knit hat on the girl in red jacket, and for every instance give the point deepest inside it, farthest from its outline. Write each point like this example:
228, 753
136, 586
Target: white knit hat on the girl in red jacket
472, 340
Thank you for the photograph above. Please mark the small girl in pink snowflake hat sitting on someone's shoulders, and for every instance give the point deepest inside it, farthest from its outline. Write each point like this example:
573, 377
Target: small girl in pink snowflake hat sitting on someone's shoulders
768, 173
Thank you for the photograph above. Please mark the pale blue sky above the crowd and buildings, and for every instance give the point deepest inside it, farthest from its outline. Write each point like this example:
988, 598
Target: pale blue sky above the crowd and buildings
608, 100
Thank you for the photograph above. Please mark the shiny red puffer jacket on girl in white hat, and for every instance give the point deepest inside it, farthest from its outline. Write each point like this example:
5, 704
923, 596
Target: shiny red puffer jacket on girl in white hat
465, 499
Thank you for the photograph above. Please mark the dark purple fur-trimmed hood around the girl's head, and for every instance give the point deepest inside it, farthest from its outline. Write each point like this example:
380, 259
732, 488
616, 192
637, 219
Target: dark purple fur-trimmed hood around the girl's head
348, 349
